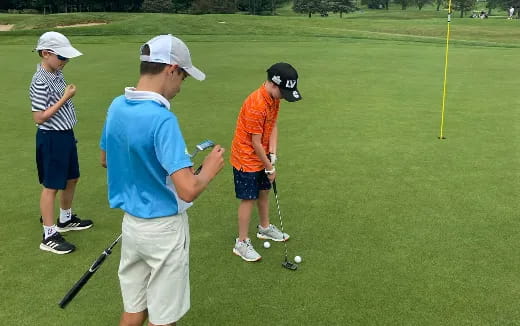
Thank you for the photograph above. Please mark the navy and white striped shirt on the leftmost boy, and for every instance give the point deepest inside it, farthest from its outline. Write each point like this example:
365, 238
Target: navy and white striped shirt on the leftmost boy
46, 90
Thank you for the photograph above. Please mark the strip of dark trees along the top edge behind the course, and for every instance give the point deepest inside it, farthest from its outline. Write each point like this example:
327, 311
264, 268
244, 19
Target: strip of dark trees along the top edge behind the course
254, 7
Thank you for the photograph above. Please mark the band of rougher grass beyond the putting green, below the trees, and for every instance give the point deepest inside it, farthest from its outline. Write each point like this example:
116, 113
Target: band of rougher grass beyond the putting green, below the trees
411, 25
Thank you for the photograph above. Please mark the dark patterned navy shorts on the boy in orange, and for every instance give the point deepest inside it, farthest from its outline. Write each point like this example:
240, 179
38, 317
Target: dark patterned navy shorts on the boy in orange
249, 184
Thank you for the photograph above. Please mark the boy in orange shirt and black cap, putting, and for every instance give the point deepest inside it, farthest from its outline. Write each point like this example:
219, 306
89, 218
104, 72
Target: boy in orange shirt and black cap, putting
253, 155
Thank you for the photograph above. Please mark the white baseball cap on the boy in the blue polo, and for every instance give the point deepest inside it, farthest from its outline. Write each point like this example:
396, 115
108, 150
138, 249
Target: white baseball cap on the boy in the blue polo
170, 50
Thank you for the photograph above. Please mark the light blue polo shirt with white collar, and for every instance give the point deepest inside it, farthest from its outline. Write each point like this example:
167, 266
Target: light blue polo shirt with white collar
144, 146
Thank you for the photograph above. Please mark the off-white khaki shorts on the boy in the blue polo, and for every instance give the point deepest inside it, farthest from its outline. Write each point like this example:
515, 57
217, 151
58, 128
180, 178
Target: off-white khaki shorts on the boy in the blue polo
154, 267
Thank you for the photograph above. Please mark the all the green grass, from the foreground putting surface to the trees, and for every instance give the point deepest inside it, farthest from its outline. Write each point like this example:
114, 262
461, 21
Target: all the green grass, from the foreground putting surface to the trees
395, 226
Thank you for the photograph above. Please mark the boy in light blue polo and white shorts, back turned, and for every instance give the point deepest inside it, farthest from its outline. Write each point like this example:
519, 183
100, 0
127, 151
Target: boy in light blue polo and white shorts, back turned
150, 178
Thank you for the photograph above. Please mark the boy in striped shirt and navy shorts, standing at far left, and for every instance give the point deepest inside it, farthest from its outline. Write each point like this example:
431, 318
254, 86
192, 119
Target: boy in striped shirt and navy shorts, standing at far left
56, 152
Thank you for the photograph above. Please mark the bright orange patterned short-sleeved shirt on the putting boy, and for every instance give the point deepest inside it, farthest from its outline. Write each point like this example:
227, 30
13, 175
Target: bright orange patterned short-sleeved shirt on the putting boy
257, 116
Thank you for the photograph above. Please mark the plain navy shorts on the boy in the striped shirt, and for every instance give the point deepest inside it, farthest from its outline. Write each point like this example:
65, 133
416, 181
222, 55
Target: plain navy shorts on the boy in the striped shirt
56, 158
